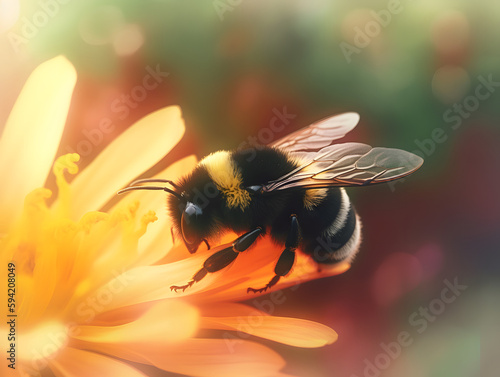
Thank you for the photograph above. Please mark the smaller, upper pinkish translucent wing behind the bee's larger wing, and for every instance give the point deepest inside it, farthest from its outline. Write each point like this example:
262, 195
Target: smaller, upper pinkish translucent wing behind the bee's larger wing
319, 134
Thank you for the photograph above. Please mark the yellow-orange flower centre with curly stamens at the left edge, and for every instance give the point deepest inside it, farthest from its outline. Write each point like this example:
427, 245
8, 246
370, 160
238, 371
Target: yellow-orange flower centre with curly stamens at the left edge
61, 265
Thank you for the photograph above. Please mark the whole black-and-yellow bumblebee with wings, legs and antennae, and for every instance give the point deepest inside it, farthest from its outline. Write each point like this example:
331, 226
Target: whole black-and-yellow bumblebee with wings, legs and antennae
291, 190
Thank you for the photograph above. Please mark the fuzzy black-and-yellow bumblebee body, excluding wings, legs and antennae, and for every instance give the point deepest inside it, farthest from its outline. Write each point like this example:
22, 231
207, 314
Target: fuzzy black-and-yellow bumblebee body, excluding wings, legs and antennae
225, 185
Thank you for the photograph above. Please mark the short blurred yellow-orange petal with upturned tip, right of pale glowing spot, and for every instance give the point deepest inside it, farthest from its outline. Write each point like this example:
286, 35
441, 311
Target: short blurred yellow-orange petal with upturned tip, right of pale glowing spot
166, 322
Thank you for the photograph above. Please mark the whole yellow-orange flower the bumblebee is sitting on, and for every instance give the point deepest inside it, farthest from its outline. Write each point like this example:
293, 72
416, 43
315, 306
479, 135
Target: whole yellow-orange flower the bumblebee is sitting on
90, 289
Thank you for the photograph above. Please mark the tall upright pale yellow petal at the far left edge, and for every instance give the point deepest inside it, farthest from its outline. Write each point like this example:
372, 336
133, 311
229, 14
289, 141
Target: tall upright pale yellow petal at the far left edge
32, 134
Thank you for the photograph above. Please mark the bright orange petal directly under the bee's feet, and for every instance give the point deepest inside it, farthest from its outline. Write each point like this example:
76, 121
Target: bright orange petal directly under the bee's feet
251, 269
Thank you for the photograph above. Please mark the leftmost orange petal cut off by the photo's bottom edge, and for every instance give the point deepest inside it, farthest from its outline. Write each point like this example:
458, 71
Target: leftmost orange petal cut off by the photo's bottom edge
77, 363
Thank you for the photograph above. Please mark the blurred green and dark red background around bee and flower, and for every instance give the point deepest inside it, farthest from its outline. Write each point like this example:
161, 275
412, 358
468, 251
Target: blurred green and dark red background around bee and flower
425, 77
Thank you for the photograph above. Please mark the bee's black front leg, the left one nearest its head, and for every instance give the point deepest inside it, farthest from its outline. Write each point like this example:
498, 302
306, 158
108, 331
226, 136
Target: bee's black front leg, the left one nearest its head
222, 258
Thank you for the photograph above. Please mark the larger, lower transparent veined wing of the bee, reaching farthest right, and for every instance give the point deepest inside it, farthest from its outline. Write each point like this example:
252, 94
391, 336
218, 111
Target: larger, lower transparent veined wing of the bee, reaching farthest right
348, 164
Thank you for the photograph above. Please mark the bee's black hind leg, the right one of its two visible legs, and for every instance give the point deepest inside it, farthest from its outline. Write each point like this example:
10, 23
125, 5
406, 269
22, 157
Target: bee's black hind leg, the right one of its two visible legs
287, 257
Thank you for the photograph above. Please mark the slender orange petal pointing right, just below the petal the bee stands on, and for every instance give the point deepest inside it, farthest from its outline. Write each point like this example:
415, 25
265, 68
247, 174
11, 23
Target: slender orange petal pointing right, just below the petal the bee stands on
291, 331
